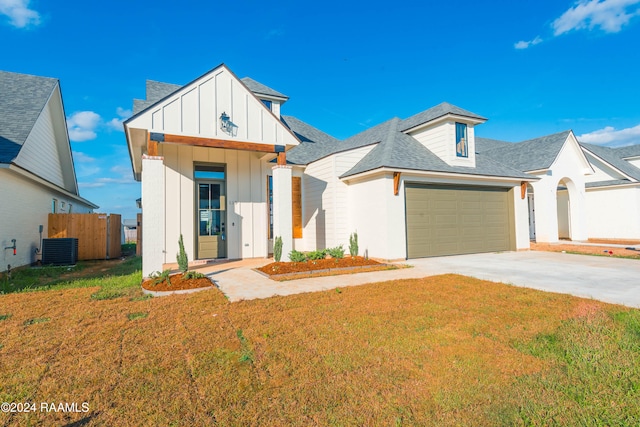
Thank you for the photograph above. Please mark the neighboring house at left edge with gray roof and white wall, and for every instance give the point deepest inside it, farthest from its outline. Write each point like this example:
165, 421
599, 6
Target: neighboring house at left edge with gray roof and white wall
37, 175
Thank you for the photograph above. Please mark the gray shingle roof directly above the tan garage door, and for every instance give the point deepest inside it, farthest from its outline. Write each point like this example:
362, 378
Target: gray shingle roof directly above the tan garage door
397, 150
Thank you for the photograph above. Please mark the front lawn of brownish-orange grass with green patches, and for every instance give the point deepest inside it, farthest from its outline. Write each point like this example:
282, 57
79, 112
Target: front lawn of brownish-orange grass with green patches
446, 350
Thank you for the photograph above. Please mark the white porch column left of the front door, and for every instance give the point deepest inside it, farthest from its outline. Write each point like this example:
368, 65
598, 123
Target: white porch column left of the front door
153, 226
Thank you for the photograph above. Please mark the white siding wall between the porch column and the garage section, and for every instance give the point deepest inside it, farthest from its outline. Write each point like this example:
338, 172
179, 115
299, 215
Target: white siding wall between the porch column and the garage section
326, 204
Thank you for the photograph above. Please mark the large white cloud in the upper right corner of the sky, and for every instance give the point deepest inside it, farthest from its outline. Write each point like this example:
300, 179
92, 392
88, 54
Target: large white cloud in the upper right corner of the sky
607, 15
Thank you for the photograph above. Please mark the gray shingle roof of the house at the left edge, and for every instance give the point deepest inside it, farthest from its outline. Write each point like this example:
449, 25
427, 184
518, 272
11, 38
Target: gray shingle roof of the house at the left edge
22, 98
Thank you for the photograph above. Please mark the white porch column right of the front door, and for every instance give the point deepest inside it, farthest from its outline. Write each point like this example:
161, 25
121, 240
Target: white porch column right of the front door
283, 209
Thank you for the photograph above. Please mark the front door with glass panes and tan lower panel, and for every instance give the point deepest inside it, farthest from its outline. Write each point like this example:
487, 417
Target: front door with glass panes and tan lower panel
212, 218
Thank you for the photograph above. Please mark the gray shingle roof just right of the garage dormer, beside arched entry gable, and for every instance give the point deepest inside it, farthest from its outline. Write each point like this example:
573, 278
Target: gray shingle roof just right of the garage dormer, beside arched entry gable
533, 154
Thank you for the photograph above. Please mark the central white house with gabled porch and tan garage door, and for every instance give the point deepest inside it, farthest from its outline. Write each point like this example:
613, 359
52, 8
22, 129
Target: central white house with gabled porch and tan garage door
205, 155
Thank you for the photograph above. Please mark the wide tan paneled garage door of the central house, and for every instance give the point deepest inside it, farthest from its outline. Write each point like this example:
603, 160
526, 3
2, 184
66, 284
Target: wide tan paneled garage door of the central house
448, 220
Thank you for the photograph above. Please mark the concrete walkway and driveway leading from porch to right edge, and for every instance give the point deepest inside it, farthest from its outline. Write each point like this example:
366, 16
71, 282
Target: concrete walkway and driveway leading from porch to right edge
606, 279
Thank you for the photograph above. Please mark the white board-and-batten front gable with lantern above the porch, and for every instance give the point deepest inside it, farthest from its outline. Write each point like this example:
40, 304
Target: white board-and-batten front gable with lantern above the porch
196, 108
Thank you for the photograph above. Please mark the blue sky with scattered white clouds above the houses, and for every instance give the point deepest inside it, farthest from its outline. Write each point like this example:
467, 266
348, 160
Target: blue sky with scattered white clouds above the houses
532, 68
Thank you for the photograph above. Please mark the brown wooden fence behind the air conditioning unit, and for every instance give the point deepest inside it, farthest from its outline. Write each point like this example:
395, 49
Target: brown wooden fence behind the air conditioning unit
98, 235
